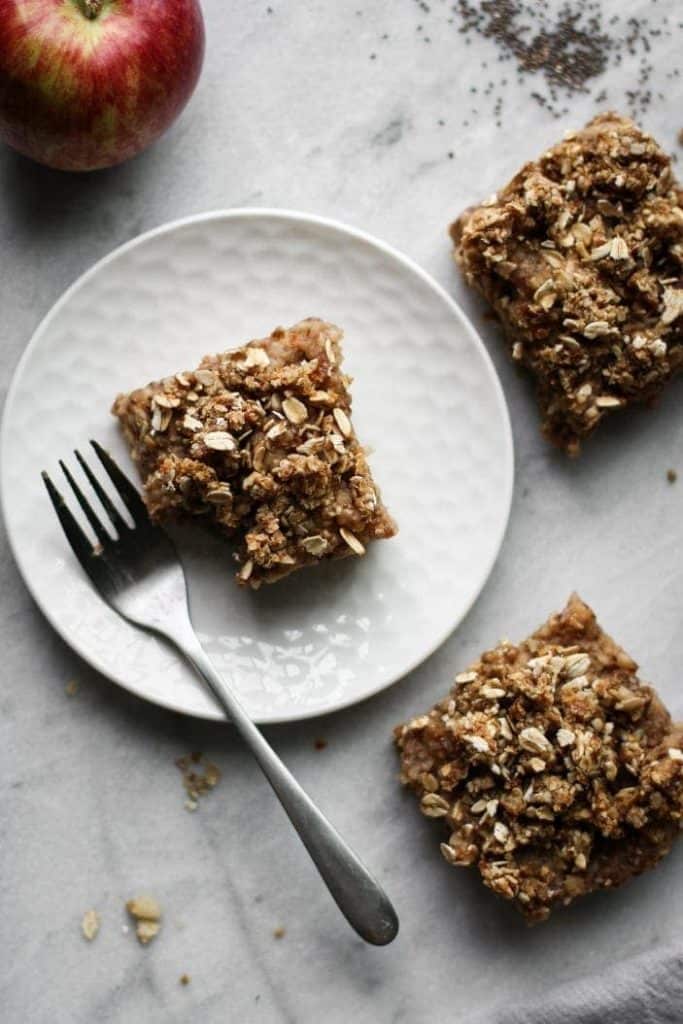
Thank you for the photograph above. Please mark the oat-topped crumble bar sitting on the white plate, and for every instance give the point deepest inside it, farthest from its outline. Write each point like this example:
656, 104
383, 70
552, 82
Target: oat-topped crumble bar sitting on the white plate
260, 444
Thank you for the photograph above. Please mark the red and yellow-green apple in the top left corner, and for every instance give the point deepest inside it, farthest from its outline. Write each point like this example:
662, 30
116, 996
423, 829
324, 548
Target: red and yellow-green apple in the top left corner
87, 84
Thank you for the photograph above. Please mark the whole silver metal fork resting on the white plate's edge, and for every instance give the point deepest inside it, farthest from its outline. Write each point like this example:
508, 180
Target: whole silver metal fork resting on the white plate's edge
138, 572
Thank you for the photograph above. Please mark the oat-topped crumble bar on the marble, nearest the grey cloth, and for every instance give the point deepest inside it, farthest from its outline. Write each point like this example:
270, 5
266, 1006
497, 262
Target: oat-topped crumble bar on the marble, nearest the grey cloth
554, 770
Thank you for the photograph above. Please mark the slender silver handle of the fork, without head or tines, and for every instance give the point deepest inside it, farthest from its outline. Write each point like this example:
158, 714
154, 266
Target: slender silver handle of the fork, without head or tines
359, 897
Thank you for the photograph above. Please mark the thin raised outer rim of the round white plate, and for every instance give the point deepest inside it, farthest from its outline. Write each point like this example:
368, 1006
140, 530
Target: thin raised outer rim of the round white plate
295, 217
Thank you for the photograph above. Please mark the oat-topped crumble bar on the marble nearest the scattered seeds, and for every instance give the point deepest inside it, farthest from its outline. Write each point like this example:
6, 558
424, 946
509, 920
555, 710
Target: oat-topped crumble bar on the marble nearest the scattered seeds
581, 257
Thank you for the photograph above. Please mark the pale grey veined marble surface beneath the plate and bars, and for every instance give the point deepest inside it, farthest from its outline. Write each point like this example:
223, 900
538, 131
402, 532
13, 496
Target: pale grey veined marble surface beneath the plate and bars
294, 111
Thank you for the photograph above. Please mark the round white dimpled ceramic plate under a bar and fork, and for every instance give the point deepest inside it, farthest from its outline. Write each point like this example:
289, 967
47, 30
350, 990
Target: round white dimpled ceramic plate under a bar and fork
426, 400
